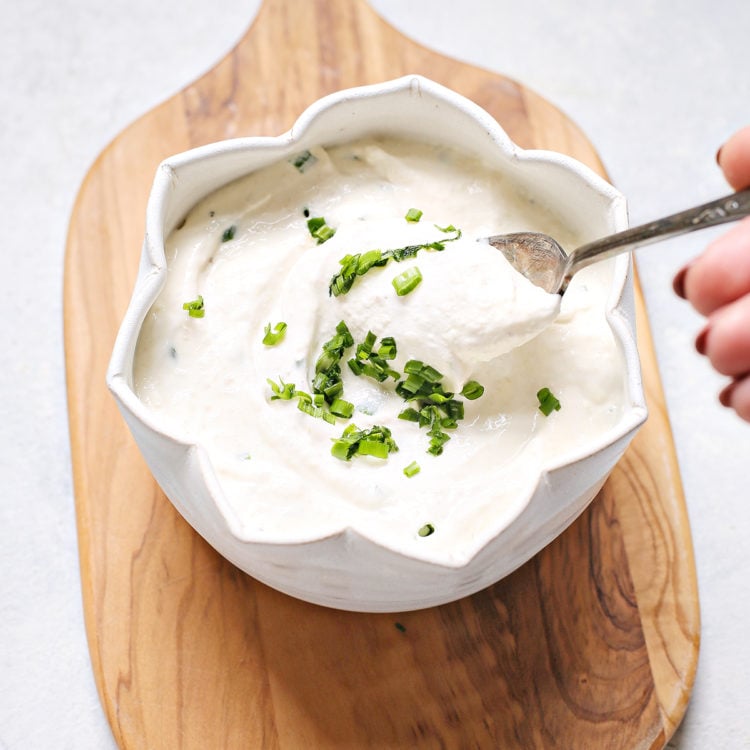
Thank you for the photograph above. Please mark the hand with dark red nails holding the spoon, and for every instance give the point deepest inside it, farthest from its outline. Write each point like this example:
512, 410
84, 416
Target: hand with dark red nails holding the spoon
717, 285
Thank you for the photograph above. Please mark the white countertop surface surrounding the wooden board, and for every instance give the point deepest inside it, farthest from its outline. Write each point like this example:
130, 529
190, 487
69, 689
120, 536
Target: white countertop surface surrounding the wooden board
655, 89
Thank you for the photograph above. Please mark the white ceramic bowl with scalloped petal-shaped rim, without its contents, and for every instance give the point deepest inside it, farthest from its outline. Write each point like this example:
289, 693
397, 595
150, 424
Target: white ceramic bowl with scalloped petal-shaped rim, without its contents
344, 568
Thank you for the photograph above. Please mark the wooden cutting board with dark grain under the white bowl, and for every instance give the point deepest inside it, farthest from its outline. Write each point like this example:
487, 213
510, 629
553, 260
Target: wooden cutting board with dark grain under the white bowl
592, 644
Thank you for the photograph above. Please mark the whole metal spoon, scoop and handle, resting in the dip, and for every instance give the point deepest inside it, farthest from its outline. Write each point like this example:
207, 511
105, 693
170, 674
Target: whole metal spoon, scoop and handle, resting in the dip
543, 262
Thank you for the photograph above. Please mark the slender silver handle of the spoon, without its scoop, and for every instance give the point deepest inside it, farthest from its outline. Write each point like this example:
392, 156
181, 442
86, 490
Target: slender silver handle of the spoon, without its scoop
729, 208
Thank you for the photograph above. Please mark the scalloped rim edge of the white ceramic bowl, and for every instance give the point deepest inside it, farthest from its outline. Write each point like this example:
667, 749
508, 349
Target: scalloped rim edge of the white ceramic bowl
153, 271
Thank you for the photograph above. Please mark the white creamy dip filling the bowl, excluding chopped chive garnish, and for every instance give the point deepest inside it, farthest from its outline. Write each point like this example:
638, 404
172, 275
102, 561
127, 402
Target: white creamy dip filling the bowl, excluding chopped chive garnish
472, 317
